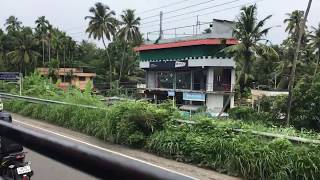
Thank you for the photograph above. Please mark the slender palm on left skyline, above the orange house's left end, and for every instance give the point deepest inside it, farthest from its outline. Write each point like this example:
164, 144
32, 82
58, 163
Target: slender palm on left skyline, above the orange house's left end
42, 29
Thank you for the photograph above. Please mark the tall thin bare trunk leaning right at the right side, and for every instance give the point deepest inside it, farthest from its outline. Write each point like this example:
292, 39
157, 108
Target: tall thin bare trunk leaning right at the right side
294, 63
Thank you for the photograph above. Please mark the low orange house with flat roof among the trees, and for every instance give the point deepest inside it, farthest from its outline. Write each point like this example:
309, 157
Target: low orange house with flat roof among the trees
70, 76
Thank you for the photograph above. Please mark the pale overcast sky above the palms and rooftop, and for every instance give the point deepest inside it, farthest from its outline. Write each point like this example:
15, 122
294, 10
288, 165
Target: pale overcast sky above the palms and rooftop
69, 15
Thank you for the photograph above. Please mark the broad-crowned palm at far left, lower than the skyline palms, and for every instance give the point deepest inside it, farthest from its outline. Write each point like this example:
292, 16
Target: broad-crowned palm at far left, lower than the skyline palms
25, 51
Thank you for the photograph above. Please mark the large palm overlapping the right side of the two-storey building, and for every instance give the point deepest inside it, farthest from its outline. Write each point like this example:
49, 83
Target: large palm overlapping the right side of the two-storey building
249, 31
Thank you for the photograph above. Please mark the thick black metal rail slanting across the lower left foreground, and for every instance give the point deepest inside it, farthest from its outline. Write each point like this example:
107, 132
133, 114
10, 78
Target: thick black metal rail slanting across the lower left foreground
104, 165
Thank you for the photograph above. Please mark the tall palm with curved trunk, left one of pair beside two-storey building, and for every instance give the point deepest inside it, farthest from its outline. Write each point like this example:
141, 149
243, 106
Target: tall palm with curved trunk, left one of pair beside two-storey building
102, 26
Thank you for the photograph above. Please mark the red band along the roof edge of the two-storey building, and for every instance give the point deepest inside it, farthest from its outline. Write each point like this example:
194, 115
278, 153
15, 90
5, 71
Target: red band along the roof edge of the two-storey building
185, 43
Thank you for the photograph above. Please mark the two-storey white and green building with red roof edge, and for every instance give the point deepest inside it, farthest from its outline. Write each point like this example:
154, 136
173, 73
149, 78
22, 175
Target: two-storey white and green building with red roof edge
191, 70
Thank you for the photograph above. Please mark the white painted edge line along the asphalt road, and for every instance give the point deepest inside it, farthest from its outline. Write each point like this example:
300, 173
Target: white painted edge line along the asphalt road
100, 148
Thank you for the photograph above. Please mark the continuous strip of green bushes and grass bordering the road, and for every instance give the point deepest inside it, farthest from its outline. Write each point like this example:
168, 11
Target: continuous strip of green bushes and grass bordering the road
209, 143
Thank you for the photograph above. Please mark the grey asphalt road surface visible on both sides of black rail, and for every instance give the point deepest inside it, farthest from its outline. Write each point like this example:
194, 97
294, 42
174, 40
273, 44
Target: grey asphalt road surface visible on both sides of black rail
48, 169
